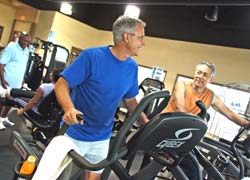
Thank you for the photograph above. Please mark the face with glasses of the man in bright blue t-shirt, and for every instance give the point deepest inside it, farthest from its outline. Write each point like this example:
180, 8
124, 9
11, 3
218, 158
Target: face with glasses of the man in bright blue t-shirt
136, 40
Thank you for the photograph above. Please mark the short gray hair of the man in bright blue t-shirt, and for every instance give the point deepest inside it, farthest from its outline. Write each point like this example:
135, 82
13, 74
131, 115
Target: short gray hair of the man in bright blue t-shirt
125, 24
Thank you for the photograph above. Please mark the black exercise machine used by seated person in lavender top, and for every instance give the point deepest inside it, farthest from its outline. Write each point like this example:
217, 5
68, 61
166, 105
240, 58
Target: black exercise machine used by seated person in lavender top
45, 123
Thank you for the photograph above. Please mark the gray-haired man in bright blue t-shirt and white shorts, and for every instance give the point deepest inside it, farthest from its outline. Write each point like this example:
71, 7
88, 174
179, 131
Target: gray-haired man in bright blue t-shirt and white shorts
98, 80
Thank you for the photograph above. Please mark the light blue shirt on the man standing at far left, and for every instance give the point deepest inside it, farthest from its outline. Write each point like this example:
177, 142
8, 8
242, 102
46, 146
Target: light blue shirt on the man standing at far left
15, 59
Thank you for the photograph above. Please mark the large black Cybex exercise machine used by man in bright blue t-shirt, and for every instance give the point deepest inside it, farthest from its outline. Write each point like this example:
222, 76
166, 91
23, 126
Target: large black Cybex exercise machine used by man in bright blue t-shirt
167, 138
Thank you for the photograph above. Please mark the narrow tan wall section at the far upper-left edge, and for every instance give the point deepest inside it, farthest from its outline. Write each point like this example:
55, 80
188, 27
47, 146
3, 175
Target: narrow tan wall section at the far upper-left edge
6, 20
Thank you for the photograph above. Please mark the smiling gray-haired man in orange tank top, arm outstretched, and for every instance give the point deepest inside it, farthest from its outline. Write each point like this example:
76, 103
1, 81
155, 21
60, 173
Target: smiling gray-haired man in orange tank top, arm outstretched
185, 95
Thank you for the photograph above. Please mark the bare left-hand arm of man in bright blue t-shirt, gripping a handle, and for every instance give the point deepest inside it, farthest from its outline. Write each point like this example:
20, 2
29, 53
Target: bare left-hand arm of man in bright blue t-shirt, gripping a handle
62, 91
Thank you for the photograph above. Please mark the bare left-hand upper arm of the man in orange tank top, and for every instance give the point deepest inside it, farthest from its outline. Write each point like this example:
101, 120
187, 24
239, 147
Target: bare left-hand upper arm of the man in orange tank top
179, 96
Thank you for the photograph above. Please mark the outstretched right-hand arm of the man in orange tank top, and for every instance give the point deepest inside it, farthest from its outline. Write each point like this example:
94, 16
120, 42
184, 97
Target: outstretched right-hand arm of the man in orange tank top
219, 106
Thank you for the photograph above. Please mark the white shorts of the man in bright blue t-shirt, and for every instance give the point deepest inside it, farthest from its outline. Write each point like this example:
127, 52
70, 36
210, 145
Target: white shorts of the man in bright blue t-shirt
94, 152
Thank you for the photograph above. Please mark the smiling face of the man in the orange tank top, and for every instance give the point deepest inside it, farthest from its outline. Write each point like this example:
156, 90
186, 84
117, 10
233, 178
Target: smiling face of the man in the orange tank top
202, 76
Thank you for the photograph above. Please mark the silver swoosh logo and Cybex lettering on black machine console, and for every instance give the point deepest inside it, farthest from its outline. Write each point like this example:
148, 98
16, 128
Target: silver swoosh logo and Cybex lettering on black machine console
176, 143
